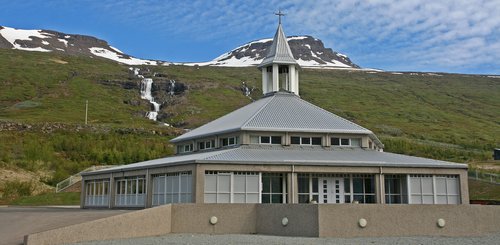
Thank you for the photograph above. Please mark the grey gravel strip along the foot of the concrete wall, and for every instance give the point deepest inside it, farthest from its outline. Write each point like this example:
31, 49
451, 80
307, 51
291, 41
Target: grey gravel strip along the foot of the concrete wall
261, 239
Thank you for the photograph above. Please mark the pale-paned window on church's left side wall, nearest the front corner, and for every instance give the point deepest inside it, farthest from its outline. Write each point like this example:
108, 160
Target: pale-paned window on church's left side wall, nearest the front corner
172, 188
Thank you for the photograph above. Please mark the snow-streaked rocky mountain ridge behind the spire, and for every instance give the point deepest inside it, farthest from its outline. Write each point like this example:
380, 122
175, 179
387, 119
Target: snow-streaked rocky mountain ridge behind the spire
309, 51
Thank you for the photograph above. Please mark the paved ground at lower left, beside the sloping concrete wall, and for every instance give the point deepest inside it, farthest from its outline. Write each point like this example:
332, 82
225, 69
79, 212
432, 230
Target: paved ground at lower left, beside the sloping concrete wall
15, 222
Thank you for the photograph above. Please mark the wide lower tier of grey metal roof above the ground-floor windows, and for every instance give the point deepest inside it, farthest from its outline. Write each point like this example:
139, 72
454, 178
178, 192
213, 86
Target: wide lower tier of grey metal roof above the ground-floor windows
296, 155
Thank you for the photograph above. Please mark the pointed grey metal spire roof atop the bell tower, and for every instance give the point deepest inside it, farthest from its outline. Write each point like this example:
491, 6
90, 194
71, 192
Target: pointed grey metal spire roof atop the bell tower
279, 52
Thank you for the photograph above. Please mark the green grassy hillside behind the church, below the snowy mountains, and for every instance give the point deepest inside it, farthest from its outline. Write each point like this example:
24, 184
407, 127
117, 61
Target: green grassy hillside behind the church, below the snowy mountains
42, 108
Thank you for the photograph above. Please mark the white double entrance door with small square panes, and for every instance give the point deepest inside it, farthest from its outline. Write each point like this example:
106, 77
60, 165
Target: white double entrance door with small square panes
331, 190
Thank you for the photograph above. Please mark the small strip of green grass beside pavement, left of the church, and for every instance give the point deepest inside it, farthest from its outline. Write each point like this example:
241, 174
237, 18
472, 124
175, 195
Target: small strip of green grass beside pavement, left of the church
62, 198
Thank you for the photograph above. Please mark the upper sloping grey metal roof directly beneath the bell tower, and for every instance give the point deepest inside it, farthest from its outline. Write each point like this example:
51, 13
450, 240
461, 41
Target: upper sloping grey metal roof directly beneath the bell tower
278, 112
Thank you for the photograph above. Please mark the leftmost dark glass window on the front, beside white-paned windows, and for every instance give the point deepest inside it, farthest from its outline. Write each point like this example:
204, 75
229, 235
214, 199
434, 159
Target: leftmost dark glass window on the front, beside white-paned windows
273, 188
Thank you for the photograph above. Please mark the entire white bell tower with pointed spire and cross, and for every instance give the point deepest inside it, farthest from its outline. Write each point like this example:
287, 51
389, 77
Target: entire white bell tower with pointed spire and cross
280, 70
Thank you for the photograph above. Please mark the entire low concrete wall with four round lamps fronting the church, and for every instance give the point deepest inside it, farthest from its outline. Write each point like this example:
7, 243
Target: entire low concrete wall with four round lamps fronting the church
313, 220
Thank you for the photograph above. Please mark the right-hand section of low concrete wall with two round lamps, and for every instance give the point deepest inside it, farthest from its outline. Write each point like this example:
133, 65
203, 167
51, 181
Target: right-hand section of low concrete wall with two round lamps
407, 220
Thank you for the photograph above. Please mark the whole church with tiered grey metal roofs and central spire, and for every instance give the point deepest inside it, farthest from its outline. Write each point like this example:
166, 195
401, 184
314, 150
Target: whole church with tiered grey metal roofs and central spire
278, 149
